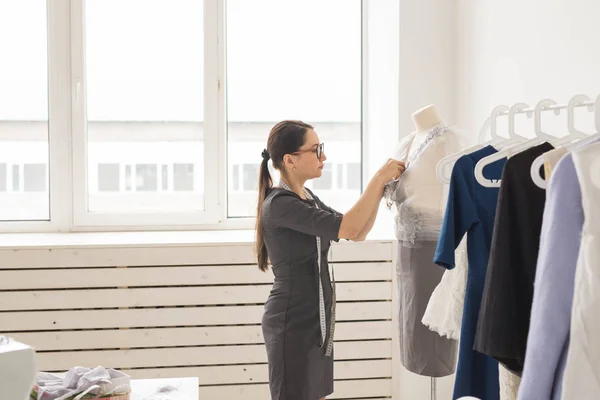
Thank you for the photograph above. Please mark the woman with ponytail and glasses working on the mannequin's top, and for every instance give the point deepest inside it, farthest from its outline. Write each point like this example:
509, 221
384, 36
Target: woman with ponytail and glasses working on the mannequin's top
291, 225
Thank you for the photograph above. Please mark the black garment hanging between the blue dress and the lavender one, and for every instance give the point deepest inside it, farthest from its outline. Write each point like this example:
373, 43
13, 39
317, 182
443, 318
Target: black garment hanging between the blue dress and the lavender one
508, 292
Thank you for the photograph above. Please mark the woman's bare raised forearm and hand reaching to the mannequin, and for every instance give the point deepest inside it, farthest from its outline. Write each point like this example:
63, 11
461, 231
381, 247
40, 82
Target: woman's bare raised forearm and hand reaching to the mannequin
356, 221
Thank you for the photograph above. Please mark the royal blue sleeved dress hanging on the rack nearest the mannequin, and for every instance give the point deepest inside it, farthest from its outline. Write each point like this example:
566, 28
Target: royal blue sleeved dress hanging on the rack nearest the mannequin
471, 209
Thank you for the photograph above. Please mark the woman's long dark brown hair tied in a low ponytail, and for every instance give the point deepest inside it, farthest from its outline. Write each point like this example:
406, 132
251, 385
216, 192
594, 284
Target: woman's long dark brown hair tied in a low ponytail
286, 137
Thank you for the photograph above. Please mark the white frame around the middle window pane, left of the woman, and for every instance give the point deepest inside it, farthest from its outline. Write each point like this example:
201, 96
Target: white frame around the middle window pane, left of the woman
83, 218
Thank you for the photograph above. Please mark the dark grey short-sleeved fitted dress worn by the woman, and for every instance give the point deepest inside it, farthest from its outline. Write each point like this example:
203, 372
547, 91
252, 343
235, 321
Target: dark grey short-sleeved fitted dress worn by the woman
298, 367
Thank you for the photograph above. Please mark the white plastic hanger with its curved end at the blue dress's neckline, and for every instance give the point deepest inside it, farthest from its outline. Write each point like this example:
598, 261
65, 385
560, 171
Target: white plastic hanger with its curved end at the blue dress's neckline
540, 138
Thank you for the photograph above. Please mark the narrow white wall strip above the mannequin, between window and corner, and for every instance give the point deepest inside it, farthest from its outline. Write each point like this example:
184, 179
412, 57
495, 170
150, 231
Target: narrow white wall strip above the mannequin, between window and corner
427, 59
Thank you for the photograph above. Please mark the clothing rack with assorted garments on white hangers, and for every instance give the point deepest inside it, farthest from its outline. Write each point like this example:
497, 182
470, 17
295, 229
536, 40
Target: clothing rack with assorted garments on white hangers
506, 243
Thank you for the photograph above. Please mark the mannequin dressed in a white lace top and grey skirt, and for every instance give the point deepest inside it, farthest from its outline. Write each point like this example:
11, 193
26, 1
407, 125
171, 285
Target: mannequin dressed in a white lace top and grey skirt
419, 198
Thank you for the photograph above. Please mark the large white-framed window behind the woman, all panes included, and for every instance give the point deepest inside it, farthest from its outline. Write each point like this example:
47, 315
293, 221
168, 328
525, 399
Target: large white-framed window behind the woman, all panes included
135, 114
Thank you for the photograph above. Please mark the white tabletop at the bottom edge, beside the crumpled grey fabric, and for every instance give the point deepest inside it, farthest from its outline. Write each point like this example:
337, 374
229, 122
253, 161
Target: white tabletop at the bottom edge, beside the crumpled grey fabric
164, 389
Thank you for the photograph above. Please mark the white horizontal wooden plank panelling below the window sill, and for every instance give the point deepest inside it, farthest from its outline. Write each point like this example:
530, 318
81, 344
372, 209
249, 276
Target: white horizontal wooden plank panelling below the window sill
188, 311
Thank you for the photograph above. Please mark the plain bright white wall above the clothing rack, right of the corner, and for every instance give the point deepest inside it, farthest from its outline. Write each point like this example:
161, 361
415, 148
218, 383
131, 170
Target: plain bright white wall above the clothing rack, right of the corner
516, 50
